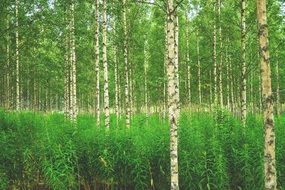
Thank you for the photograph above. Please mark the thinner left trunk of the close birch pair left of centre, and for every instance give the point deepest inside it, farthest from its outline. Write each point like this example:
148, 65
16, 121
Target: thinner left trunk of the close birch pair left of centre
97, 64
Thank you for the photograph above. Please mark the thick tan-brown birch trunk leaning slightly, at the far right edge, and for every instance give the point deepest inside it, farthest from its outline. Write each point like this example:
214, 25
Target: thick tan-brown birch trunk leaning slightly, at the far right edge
269, 133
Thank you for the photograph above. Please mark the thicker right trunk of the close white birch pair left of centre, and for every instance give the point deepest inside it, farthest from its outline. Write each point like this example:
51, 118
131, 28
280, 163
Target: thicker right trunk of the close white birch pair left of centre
105, 63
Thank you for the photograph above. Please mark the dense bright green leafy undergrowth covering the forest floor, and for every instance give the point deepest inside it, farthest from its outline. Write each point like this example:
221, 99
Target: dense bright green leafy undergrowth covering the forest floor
215, 152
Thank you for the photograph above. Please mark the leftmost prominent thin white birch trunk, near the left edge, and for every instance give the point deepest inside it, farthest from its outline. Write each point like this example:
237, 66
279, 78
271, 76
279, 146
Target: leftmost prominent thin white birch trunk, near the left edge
17, 58
